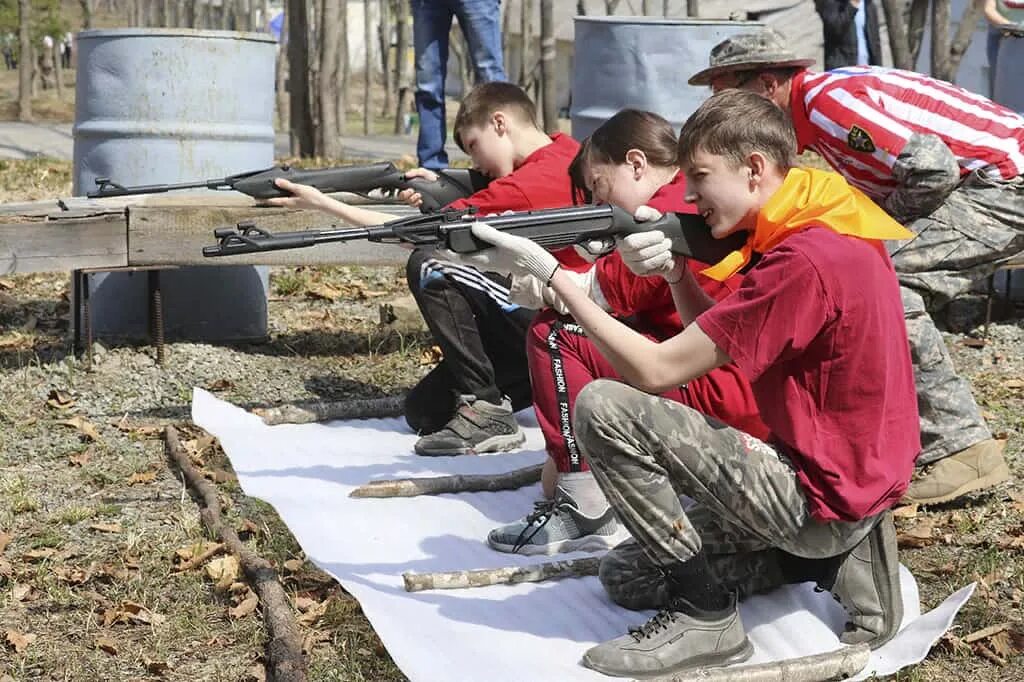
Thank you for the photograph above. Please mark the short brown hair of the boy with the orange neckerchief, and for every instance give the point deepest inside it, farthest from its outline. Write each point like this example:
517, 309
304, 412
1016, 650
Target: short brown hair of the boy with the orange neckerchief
736, 123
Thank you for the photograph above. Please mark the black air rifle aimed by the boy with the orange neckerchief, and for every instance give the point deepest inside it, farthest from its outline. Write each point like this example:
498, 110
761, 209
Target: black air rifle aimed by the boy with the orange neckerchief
552, 229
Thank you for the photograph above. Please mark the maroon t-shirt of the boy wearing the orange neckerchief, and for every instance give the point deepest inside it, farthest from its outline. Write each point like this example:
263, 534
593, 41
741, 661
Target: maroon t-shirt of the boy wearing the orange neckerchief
818, 327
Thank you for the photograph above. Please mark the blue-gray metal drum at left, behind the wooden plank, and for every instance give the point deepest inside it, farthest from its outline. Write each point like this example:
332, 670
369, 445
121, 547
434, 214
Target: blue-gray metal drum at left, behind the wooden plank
158, 106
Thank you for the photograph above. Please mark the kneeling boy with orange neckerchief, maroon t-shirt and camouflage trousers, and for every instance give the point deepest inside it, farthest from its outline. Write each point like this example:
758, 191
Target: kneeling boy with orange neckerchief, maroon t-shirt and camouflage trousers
817, 325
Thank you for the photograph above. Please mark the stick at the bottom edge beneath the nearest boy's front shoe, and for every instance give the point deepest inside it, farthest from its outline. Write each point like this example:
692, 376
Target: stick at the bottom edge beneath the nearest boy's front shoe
840, 664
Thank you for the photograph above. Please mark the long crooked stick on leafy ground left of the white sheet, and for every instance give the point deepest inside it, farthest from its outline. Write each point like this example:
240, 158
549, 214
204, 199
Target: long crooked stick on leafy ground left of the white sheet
285, 662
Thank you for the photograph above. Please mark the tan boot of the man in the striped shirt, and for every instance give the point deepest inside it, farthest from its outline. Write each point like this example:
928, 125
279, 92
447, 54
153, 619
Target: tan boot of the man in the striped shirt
976, 468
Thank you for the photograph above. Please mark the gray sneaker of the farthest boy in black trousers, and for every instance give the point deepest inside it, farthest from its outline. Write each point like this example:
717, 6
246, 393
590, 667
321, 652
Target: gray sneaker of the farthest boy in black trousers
479, 427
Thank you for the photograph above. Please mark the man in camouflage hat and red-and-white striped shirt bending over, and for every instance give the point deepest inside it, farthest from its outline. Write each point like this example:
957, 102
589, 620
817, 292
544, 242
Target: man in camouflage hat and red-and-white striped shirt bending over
944, 161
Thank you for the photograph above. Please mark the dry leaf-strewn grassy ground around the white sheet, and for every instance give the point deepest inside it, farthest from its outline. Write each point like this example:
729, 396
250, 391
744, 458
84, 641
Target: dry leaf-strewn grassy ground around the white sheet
95, 523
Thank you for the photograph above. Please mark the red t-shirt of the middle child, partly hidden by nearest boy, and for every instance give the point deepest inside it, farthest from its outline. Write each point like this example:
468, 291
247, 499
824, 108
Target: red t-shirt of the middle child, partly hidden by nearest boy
726, 393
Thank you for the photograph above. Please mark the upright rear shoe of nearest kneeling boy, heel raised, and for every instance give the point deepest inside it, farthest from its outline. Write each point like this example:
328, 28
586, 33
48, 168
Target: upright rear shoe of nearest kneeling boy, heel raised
868, 586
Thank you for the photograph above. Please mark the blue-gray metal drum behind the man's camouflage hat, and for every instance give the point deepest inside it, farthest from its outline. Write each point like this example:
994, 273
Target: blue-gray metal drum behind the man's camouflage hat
642, 63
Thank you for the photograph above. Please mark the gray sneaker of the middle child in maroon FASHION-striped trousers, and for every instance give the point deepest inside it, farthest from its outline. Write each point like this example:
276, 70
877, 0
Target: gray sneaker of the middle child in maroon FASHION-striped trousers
558, 526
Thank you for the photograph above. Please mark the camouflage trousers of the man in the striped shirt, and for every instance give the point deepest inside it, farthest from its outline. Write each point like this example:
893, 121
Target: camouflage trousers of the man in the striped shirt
963, 241
